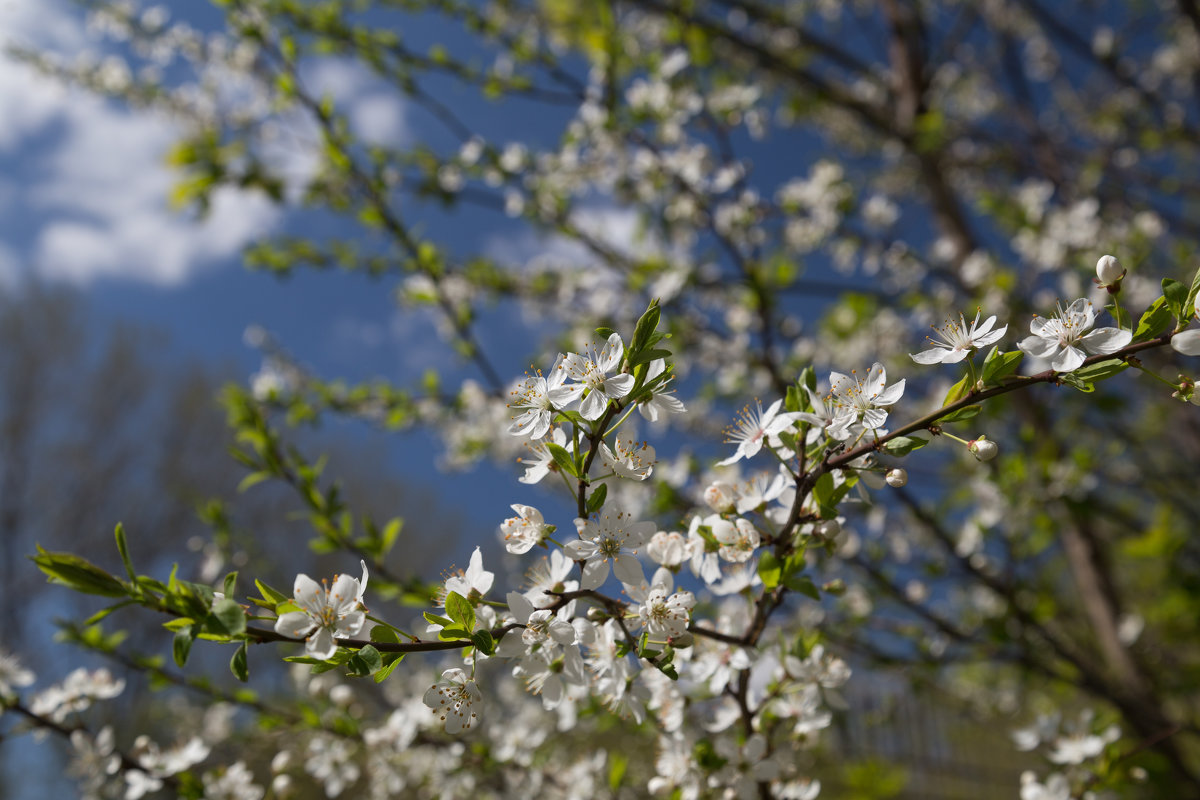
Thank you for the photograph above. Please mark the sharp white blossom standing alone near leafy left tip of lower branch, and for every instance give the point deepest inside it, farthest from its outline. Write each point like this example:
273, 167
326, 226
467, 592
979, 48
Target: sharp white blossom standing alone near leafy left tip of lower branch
326, 613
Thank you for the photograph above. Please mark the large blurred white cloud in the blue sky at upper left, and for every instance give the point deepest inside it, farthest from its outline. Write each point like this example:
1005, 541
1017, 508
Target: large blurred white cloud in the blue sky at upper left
101, 191
